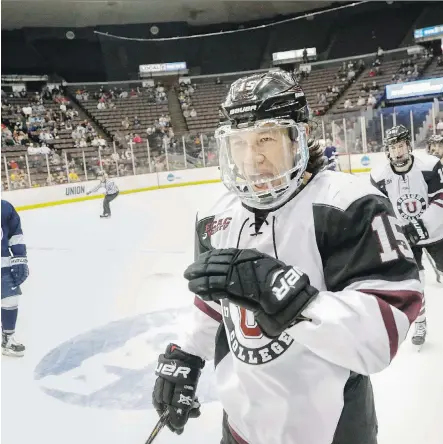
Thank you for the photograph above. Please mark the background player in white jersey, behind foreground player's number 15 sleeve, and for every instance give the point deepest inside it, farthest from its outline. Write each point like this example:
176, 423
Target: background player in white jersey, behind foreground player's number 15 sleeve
415, 187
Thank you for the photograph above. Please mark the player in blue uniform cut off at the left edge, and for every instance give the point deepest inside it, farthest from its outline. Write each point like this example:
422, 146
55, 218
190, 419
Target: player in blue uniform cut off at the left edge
14, 273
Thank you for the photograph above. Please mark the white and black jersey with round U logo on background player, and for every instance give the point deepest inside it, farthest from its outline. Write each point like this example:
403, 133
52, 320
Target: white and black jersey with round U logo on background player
417, 193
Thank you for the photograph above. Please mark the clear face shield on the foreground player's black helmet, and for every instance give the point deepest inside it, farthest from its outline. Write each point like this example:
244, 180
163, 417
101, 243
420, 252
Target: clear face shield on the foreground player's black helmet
260, 161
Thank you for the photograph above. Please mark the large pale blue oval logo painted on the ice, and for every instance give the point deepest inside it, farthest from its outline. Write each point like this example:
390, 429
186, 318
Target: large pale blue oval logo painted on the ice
113, 366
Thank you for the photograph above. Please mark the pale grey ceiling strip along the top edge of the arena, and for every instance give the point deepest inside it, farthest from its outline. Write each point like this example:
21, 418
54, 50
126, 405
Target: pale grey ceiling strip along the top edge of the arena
78, 13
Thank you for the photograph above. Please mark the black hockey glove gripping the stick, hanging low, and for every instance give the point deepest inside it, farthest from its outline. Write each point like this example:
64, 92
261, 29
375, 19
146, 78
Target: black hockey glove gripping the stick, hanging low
178, 374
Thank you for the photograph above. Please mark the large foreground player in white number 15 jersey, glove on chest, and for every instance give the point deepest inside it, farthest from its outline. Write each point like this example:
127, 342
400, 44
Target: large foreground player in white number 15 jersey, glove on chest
305, 284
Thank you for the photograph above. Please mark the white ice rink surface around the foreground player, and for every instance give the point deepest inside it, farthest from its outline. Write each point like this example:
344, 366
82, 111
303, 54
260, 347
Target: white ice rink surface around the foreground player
105, 297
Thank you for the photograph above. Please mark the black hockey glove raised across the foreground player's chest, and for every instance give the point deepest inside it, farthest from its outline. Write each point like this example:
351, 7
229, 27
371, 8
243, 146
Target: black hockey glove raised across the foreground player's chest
276, 293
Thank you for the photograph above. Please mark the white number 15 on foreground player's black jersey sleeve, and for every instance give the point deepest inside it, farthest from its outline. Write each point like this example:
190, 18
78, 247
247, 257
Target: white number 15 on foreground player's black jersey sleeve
391, 238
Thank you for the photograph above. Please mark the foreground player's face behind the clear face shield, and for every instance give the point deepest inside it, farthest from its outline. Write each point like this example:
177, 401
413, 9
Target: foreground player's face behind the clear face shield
263, 154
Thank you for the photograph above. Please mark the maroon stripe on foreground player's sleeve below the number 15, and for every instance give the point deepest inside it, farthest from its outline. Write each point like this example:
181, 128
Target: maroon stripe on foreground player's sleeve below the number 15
408, 302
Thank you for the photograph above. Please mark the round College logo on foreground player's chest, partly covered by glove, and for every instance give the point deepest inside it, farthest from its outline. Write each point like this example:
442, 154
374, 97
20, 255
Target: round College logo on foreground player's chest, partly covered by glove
247, 341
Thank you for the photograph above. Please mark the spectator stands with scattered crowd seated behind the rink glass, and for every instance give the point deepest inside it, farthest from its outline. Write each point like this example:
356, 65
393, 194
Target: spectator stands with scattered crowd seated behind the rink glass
41, 130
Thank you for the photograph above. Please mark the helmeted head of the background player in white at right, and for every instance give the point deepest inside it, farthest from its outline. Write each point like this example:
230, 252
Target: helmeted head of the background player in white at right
398, 146
